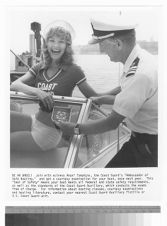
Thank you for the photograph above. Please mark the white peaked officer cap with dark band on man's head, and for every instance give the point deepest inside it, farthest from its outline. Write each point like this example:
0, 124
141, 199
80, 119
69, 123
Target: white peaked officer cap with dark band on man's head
102, 30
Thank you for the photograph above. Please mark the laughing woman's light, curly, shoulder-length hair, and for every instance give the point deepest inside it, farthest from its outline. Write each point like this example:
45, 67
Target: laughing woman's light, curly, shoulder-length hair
67, 58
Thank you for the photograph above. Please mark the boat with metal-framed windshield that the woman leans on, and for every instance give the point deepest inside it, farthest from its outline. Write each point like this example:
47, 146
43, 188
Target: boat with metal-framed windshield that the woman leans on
77, 151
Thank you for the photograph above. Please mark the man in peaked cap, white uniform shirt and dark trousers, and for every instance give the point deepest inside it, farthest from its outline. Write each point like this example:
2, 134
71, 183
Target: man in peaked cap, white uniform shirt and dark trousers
136, 104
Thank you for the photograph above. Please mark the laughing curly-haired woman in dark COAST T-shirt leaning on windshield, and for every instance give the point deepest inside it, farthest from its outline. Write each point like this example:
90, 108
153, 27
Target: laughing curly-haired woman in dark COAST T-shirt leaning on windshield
56, 74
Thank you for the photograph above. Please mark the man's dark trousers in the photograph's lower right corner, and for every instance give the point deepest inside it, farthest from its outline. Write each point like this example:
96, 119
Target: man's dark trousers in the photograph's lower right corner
140, 151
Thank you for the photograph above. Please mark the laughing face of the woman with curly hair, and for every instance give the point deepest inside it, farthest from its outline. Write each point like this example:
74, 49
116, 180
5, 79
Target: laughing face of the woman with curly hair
56, 47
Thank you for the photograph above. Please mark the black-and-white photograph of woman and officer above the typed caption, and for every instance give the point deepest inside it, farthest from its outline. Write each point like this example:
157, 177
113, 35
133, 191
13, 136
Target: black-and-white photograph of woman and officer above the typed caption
84, 87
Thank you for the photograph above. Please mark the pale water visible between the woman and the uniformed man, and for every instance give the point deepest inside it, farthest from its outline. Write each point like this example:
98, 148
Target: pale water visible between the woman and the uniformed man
102, 74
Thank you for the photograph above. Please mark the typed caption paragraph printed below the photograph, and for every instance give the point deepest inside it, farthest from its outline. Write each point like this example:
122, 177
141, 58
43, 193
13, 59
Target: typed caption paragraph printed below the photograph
47, 185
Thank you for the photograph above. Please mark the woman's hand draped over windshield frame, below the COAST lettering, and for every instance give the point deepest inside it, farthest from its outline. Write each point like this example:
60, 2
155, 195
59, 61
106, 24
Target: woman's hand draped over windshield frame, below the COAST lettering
46, 99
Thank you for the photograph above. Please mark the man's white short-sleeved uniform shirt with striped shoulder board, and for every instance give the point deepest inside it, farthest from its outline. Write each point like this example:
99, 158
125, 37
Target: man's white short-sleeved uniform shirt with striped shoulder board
138, 100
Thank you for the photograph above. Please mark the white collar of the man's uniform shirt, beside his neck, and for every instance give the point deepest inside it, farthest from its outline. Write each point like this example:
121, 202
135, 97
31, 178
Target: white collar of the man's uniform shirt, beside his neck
134, 53
